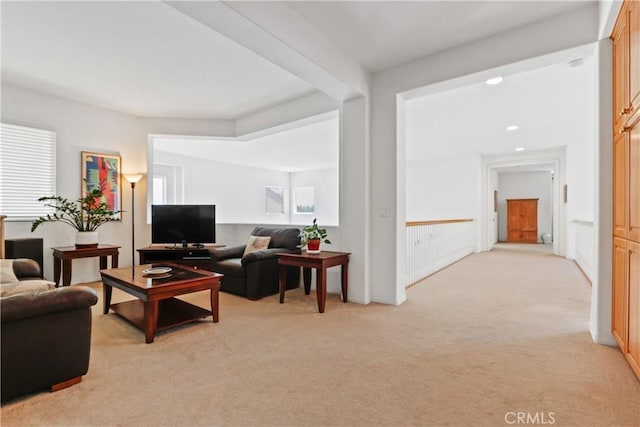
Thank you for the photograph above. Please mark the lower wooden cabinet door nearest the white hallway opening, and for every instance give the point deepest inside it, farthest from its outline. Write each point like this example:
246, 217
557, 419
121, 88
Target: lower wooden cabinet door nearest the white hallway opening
620, 293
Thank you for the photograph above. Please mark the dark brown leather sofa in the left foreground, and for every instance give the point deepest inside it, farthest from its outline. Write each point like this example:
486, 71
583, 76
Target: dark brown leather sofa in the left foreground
46, 335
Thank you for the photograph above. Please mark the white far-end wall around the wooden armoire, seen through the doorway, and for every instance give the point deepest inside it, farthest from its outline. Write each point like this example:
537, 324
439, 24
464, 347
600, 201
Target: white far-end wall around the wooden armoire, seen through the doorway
525, 185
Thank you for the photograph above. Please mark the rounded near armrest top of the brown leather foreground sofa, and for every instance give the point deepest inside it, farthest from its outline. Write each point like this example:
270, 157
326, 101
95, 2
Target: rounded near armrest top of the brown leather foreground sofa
40, 303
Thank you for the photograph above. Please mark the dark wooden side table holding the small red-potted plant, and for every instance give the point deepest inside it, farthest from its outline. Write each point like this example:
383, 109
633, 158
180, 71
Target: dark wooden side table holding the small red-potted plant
320, 262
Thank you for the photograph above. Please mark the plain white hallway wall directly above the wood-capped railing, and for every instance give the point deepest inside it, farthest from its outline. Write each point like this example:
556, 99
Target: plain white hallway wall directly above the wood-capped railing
443, 189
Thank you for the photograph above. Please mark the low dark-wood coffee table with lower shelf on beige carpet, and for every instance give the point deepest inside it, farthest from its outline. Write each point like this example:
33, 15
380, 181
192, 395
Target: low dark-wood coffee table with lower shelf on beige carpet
155, 307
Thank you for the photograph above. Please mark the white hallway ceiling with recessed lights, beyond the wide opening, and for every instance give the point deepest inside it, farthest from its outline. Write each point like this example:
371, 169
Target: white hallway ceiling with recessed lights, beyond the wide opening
549, 105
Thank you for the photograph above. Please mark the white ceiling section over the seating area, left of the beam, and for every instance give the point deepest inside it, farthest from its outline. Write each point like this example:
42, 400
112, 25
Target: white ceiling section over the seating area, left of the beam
142, 58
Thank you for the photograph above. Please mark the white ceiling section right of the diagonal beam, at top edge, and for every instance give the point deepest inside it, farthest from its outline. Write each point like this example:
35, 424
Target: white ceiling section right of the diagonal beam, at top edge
385, 34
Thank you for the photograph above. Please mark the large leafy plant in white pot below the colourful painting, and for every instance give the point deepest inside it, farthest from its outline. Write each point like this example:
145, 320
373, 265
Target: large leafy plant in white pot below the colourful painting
85, 214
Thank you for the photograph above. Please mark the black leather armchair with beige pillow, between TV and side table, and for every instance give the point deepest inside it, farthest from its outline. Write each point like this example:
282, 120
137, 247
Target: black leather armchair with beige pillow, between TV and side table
255, 275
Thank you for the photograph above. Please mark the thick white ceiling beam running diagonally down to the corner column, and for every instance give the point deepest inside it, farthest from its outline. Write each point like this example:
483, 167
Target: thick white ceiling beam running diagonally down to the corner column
277, 33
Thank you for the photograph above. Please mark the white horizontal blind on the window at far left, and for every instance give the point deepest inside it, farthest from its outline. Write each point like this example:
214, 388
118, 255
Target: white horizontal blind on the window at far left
27, 171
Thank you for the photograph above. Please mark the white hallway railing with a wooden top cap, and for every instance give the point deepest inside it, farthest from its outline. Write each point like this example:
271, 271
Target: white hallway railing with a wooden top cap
432, 245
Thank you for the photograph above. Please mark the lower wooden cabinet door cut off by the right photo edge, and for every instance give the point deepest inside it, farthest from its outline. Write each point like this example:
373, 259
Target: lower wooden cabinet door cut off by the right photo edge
633, 343
